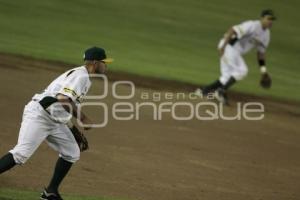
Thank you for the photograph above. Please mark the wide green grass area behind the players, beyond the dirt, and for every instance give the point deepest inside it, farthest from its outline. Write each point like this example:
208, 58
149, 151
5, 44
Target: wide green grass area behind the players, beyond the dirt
169, 39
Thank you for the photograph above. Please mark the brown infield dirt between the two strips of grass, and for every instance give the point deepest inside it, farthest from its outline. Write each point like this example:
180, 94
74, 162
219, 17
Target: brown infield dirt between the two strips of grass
168, 159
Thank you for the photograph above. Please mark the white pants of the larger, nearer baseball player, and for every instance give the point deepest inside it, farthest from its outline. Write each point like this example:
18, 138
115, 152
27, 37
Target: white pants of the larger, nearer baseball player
36, 127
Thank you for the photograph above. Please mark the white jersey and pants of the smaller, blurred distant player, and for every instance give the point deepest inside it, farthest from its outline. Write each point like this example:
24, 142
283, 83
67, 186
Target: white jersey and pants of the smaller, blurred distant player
249, 34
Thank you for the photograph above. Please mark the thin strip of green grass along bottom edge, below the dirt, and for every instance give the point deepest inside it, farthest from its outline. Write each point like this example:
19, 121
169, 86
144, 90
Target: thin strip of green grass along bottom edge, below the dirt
8, 194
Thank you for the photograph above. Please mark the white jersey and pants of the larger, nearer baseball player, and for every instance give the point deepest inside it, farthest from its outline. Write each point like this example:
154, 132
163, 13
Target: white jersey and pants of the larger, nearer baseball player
39, 124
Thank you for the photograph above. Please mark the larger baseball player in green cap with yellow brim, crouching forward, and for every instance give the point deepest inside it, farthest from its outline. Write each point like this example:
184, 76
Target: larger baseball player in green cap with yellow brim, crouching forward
46, 117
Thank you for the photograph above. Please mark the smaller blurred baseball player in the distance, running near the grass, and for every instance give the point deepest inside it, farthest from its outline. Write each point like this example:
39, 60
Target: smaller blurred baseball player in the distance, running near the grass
239, 40
